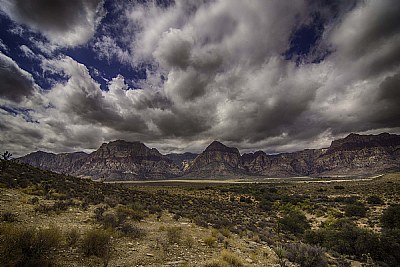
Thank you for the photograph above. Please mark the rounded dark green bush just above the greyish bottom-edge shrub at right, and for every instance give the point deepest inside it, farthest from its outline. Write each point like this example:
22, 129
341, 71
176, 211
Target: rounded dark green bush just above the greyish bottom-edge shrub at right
294, 222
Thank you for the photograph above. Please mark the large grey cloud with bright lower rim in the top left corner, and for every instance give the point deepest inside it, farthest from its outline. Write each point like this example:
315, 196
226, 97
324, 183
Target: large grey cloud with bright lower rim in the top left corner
66, 23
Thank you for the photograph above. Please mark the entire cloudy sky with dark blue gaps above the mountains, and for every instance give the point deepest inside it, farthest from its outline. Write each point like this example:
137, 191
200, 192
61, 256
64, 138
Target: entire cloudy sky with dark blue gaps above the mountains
277, 76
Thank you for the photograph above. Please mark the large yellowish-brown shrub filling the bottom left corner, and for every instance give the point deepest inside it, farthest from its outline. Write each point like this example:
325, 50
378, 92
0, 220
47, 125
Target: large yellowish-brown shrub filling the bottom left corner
28, 246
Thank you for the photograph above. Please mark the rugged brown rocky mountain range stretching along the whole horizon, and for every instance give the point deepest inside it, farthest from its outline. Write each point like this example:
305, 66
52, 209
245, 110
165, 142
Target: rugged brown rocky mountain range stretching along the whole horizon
121, 160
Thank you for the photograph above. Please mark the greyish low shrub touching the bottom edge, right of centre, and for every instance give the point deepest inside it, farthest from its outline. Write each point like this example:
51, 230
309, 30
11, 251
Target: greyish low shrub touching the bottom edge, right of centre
306, 255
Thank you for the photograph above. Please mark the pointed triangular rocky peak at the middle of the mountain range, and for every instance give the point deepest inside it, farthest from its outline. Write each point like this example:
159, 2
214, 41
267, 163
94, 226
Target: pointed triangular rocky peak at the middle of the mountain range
216, 160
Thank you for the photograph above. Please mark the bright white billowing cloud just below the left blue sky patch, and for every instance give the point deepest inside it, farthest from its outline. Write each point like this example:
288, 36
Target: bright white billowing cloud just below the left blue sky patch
83, 100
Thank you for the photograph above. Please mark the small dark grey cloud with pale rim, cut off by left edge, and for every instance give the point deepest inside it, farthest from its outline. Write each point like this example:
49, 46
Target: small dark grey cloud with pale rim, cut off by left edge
15, 83
